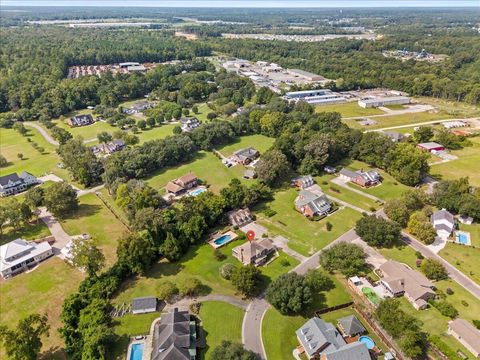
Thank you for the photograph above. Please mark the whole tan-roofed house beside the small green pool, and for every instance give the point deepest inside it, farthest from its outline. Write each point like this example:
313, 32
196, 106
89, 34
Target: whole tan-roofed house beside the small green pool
398, 279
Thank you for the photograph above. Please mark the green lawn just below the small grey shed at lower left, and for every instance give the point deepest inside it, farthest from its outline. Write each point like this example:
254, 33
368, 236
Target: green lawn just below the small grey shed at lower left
126, 327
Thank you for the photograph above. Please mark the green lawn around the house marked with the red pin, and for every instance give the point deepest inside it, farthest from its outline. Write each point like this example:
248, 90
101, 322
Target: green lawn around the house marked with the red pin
198, 262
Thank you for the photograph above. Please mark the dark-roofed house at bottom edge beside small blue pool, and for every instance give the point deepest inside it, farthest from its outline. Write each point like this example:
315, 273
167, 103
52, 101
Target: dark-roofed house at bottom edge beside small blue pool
175, 336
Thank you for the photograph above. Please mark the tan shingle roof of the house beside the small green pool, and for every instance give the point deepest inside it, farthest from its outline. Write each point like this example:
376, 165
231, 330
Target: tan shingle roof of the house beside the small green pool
415, 284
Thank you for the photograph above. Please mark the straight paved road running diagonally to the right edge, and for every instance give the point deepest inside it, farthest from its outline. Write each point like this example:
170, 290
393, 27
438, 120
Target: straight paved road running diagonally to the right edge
455, 274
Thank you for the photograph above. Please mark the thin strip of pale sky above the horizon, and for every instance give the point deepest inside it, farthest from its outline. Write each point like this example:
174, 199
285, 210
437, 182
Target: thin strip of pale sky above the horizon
248, 3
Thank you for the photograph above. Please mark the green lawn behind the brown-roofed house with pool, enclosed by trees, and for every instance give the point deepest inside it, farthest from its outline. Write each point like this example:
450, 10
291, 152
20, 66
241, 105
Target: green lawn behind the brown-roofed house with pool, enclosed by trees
205, 165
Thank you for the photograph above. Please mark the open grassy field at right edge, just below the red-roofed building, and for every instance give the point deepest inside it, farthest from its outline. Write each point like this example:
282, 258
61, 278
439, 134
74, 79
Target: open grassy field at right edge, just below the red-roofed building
467, 164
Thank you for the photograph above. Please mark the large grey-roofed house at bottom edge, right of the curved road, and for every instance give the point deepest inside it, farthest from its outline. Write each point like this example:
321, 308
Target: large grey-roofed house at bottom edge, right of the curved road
321, 340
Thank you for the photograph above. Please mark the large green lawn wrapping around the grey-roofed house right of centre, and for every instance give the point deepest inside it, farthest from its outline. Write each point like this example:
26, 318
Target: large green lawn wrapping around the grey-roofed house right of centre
305, 236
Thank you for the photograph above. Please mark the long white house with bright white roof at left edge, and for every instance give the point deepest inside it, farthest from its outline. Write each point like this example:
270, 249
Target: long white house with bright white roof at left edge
20, 255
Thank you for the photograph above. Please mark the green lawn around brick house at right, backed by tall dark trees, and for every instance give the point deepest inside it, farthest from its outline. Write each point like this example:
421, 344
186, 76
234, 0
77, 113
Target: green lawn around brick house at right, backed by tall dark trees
389, 189
